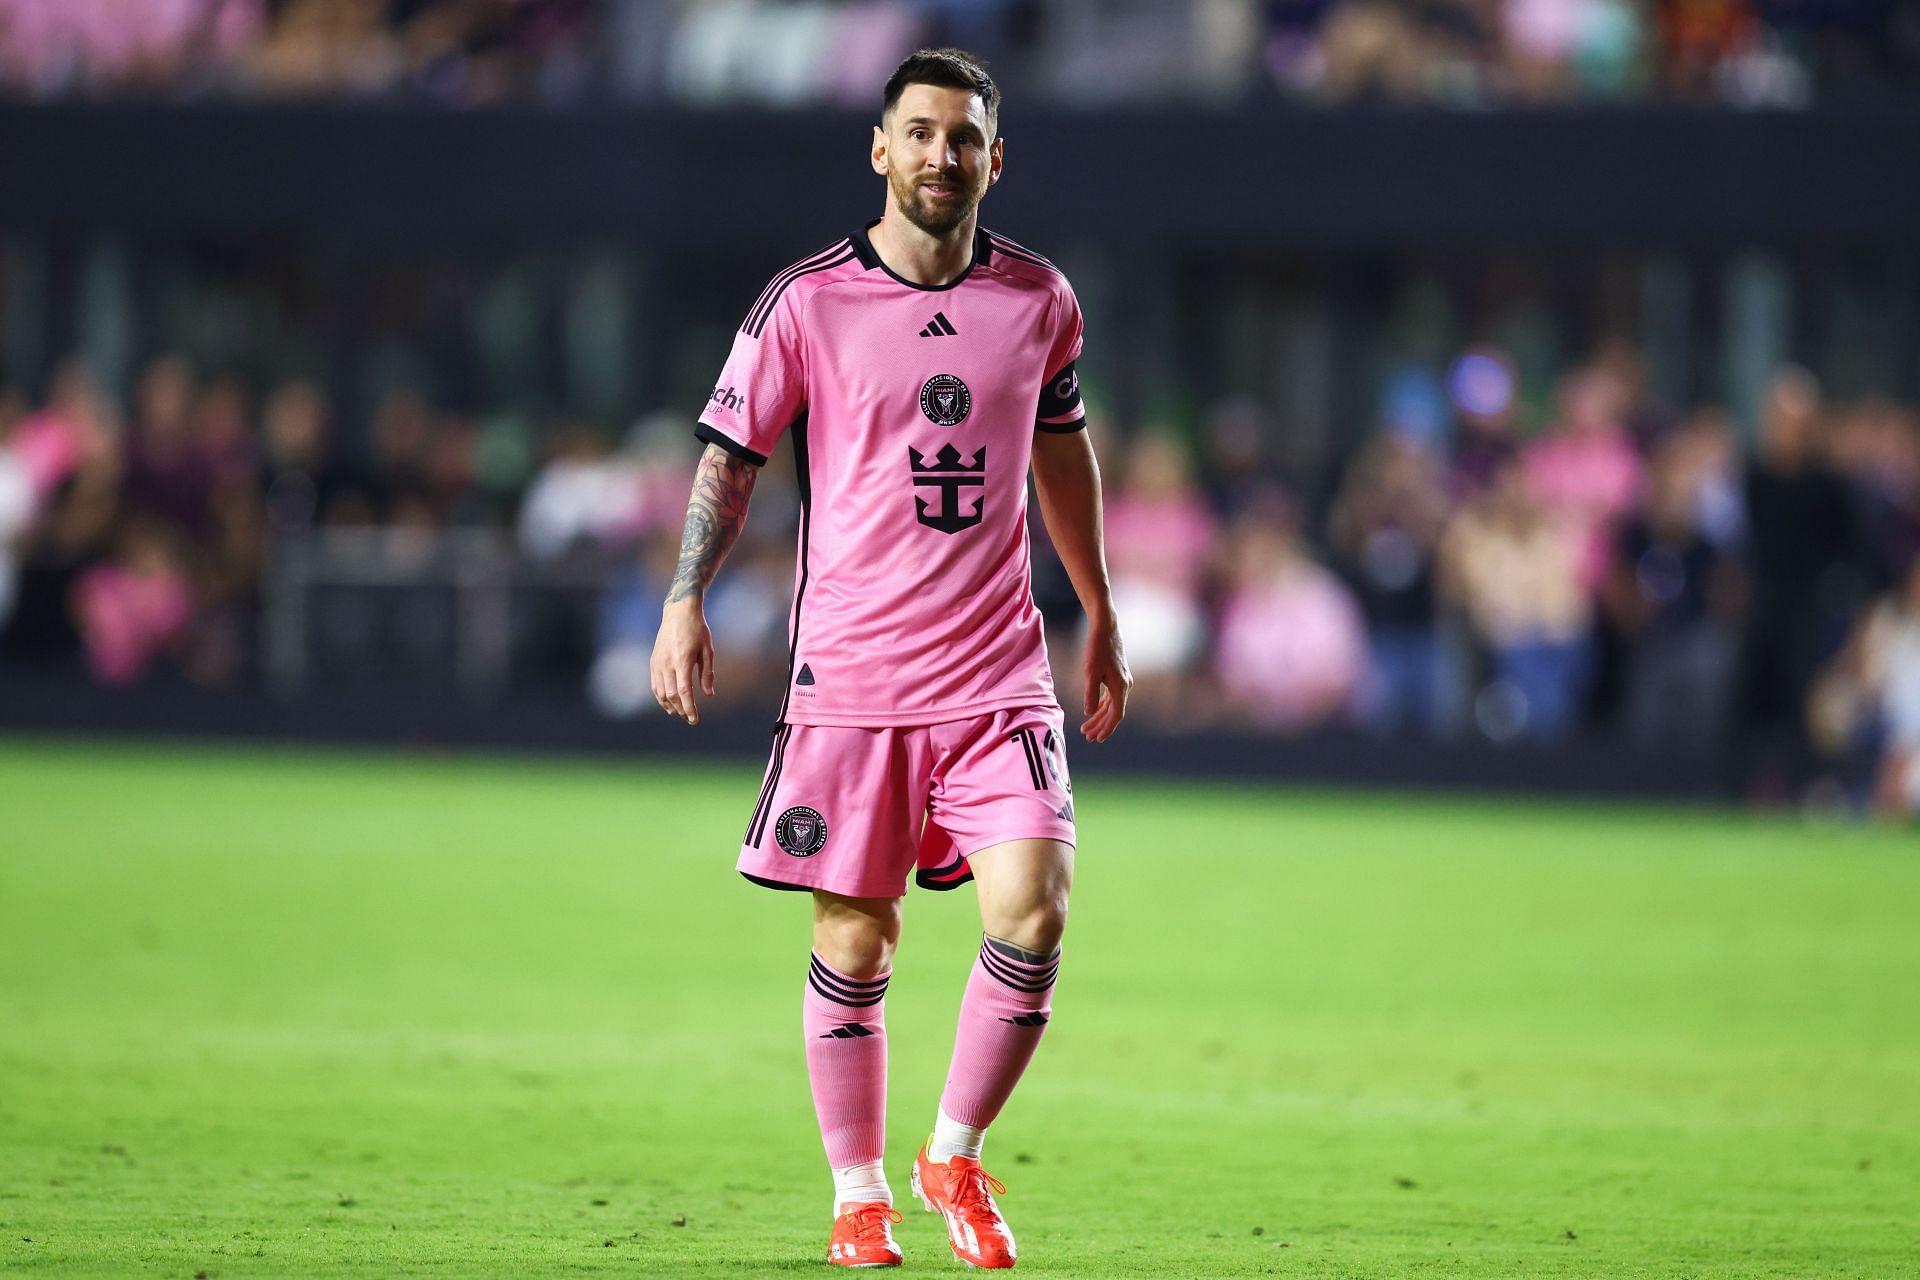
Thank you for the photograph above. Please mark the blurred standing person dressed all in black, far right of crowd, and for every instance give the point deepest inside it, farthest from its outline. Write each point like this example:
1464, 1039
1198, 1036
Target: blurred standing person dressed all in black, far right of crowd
1800, 544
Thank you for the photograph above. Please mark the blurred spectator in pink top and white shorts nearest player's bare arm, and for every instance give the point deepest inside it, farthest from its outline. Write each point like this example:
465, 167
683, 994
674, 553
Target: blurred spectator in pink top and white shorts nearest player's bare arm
1159, 540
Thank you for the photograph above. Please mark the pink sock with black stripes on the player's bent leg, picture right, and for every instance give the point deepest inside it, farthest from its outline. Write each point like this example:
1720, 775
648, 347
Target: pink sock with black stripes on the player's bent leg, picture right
1009, 999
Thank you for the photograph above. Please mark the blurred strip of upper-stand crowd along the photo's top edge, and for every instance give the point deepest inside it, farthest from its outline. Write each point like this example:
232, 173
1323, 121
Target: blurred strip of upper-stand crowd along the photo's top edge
475, 53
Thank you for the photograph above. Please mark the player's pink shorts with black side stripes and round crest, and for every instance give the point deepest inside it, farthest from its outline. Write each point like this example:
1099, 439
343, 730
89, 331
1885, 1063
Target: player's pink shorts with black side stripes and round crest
855, 811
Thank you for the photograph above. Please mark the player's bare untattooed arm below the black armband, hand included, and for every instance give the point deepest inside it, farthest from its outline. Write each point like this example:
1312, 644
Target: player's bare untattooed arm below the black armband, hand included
1068, 485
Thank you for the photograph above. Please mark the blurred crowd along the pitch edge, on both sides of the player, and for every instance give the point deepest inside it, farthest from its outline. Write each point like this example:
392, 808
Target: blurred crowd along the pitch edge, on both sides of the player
1479, 571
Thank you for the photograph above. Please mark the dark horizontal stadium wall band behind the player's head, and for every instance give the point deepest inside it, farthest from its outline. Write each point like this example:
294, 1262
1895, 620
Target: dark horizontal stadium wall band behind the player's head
1274, 178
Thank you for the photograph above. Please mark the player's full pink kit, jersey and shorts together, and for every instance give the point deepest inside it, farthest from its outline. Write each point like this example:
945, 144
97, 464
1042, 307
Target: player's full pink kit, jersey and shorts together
921, 721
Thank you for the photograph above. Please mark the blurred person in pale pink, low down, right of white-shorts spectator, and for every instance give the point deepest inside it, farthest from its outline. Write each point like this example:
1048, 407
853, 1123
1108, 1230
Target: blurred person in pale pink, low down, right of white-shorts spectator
1293, 650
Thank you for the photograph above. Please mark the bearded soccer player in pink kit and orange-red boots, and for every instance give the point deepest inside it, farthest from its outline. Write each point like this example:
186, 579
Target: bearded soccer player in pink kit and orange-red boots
921, 367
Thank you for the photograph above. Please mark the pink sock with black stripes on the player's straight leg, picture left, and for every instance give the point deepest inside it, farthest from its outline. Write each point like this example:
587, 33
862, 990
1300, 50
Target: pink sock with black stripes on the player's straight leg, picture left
846, 1026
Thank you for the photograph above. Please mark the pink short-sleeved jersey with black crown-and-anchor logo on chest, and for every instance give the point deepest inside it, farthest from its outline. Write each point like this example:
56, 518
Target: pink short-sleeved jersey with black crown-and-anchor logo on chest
913, 415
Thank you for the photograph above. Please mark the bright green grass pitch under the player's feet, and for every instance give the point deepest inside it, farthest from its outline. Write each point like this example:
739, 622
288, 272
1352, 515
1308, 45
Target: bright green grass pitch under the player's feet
379, 1014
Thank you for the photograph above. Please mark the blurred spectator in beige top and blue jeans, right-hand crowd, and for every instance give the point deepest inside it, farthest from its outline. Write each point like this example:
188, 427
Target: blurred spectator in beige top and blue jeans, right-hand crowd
1516, 573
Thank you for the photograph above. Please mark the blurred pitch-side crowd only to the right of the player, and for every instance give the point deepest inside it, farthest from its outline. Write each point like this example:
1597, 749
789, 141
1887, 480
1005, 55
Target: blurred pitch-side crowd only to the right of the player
1618, 567
